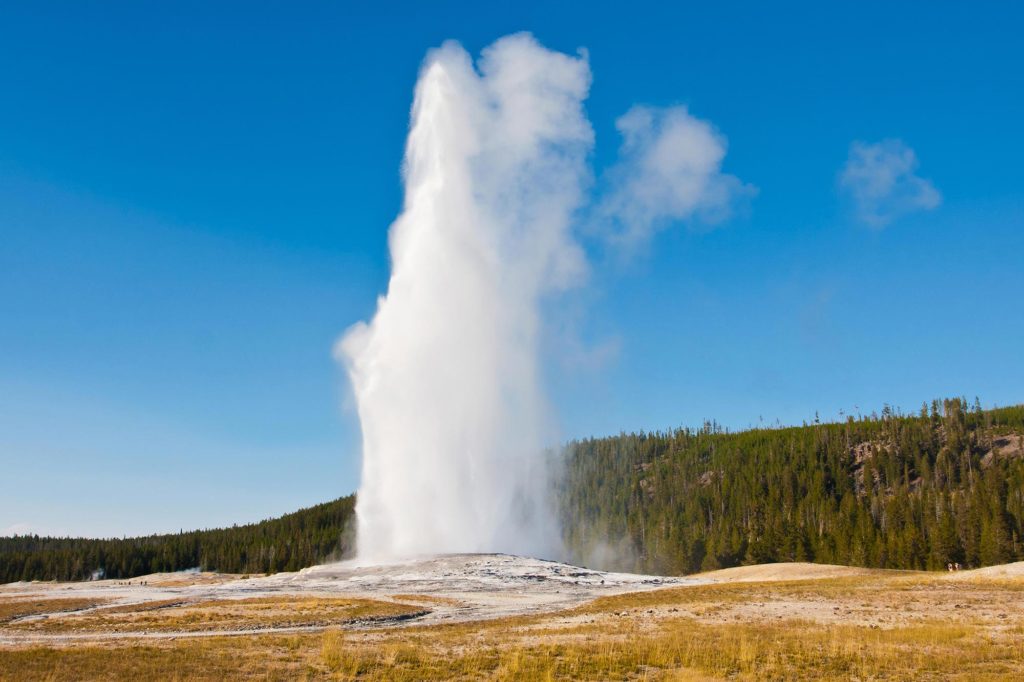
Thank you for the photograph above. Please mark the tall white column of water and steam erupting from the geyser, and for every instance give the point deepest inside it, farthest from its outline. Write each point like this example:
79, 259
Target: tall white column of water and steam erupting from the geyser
447, 375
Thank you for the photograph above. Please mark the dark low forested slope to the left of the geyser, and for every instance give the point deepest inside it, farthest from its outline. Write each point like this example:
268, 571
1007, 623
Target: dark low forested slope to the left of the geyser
289, 543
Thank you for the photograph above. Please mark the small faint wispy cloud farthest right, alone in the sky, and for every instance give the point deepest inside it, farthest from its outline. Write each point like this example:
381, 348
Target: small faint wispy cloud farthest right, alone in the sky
882, 182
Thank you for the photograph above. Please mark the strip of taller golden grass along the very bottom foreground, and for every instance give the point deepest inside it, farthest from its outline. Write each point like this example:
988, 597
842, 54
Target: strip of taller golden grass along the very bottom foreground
678, 651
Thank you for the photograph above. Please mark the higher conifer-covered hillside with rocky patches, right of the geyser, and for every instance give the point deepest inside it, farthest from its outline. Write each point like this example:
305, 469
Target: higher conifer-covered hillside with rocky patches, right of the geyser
889, 491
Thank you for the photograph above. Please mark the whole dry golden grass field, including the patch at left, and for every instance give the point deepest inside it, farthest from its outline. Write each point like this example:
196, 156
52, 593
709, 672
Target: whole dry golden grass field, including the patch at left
778, 622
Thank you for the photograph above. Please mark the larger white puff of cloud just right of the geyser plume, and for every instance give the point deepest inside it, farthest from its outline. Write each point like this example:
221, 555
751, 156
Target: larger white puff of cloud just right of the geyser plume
670, 168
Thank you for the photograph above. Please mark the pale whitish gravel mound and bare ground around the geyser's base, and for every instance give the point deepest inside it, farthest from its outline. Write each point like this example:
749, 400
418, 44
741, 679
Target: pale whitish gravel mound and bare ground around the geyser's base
475, 587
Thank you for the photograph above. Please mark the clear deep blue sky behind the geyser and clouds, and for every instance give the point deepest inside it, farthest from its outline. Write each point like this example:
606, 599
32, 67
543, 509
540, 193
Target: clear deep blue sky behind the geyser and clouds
194, 206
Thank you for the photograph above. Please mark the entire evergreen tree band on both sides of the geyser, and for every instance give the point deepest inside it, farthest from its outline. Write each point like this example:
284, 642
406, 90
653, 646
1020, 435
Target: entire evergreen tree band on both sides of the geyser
889, 491
